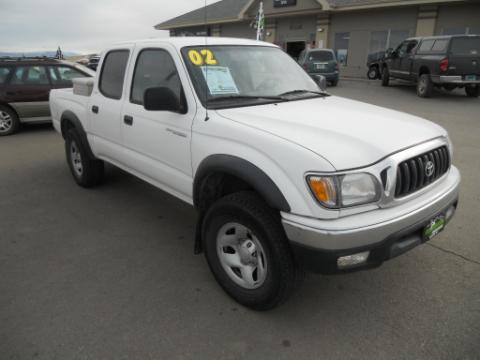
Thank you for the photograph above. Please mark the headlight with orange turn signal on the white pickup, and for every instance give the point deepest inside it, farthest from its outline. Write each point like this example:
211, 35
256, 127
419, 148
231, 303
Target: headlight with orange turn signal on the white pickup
338, 191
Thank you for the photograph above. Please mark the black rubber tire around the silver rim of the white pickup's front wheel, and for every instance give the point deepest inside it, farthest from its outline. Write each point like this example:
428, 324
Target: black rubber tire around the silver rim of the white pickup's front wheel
282, 274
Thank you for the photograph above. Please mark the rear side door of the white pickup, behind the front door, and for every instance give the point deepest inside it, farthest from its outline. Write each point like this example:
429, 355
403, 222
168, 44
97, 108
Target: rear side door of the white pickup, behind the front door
106, 102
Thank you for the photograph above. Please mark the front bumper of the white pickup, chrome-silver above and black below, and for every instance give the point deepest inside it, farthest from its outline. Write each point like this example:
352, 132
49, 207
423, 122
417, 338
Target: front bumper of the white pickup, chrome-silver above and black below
385, 233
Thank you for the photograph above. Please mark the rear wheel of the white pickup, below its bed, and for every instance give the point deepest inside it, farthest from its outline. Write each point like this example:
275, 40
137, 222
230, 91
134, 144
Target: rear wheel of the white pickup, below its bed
86, 171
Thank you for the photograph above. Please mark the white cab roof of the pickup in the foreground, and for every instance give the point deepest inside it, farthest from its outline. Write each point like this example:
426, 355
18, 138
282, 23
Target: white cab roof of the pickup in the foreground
180, 42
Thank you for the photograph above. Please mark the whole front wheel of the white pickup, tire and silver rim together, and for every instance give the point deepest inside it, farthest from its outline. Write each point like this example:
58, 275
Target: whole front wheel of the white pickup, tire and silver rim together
248, 252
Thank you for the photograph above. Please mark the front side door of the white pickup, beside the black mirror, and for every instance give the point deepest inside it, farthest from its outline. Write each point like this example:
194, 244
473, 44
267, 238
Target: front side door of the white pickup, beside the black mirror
157, 143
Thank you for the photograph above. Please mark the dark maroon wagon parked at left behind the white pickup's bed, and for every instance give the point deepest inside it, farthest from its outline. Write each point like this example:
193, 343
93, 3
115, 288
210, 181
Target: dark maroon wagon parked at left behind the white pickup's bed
25, 85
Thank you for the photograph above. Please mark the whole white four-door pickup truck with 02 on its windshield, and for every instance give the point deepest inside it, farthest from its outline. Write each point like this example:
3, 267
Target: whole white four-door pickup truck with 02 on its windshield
284, 177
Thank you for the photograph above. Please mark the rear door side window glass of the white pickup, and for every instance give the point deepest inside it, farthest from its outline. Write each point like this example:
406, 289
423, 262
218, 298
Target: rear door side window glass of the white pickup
113, 73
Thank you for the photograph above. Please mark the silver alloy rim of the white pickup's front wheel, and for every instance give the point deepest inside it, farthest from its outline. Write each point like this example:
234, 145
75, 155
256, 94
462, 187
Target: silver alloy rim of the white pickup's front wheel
241, 255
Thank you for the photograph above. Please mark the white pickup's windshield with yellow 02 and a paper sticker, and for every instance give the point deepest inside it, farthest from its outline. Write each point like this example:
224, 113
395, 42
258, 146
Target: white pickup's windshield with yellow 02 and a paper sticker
229, 76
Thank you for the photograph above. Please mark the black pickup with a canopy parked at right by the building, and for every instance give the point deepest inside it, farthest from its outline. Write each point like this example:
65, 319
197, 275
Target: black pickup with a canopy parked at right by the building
438, 61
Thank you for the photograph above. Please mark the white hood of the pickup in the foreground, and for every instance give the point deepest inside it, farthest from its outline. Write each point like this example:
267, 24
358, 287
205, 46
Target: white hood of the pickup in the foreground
347, 133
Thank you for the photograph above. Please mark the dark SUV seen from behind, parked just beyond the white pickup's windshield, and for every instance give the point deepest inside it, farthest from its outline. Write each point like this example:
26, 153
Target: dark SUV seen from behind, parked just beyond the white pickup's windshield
320, 62
